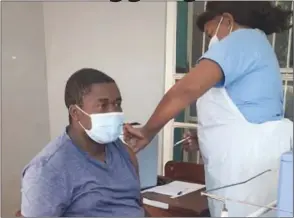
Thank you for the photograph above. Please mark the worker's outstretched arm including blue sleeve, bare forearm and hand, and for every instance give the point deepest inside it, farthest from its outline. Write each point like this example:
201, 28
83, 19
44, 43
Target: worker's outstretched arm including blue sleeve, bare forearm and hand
223, 64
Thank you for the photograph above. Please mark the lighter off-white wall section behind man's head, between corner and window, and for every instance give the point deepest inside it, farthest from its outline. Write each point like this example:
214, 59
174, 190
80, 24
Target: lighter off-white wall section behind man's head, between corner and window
125, 40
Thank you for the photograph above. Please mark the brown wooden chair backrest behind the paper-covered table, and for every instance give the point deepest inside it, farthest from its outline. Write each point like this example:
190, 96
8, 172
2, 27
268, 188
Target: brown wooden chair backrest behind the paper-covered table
183, 171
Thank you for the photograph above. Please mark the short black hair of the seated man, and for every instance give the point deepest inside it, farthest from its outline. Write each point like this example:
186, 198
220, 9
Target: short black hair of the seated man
79, 84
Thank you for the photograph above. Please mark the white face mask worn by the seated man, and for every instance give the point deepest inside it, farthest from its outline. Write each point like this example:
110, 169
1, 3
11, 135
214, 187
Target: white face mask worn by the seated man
105, 127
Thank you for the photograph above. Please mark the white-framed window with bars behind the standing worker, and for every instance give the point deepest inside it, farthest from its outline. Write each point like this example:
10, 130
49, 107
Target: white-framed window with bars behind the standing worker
191, 44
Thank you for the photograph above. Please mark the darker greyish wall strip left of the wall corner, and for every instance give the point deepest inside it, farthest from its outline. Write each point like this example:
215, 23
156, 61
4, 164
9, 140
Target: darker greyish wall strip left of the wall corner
25, 120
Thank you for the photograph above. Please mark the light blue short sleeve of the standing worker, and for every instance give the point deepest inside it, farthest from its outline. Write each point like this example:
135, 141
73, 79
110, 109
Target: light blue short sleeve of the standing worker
232, 56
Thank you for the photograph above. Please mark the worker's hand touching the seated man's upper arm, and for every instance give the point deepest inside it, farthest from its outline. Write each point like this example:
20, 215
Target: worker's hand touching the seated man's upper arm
136, 138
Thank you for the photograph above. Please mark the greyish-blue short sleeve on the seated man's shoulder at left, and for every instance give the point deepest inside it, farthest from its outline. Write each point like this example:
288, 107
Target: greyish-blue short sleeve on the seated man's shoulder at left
43, 193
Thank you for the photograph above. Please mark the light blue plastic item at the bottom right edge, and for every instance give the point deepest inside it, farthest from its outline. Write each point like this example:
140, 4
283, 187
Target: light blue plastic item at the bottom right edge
285, 190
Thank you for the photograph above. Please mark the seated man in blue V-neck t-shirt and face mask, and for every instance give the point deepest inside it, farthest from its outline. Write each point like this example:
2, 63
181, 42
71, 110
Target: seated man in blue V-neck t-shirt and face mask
87, 171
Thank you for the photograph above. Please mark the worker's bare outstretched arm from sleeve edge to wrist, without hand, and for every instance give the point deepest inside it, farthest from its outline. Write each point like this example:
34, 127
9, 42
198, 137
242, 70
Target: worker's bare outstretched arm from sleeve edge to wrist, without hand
202, 77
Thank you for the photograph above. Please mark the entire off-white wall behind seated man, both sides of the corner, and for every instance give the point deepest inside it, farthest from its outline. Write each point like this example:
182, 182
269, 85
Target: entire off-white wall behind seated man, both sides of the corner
125, 40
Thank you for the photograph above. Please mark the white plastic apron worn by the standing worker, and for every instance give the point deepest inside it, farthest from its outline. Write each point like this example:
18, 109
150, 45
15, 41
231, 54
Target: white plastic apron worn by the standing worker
234, 150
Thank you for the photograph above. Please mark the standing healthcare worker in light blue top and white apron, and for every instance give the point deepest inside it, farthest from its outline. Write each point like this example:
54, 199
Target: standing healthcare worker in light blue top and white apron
238, 87
